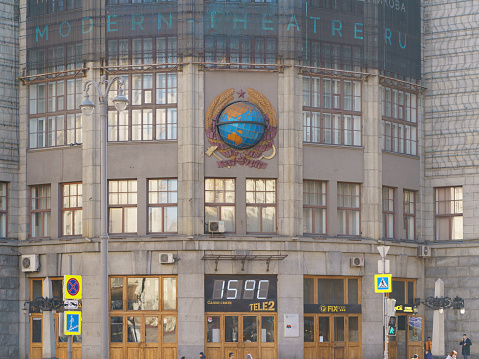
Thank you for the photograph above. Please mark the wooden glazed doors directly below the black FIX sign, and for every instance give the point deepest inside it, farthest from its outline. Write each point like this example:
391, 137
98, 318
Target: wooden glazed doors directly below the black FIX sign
332, 336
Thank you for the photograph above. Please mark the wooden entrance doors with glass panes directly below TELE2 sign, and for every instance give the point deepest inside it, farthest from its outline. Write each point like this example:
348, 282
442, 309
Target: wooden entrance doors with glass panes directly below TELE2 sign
240, 334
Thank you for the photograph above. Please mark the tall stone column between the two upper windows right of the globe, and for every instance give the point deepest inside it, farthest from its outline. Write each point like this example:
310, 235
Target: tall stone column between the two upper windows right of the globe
371, 196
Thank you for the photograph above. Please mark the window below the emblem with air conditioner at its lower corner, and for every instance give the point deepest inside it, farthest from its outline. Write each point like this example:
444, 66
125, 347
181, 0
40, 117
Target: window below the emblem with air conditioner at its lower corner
220, 198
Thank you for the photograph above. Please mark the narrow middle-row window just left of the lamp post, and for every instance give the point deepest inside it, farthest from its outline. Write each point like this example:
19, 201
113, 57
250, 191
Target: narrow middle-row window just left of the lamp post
72, 204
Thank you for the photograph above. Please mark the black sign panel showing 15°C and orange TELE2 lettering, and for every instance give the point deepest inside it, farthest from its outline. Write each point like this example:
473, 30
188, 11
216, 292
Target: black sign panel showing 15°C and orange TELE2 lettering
237, 293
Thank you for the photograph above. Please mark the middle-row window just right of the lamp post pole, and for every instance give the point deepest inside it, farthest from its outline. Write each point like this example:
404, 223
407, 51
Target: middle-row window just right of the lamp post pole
122, 206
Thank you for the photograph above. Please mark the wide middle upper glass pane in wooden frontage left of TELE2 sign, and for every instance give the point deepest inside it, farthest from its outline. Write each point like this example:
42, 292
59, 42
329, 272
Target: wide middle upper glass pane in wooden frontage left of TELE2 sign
143, 293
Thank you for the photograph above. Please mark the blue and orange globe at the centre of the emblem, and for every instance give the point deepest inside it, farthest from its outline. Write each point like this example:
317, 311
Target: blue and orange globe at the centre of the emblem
241, 125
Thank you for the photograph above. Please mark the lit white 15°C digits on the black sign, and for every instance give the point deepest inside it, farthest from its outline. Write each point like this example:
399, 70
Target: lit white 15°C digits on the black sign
240, 289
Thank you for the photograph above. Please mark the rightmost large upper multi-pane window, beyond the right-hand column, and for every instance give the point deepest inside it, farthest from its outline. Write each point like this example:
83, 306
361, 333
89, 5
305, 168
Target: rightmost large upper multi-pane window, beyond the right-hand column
399, 124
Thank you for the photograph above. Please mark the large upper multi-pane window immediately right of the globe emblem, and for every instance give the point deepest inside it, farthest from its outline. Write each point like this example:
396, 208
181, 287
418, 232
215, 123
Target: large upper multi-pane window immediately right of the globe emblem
331, 111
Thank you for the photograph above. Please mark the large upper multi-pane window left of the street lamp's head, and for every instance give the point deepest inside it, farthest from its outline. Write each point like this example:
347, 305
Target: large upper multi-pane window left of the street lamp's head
55, 118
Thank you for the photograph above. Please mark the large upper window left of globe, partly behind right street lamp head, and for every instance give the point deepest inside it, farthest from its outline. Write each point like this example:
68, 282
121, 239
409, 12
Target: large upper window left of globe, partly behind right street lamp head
152, 114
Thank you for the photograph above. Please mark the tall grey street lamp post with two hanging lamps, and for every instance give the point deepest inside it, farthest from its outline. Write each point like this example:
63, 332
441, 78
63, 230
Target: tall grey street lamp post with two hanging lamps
87, 107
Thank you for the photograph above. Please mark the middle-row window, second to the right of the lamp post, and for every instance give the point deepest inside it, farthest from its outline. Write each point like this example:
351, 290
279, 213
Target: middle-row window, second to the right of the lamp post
162, 205
